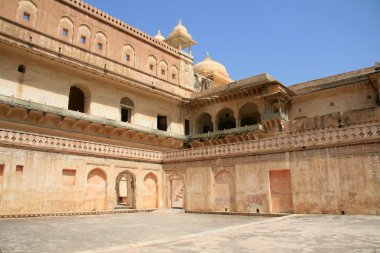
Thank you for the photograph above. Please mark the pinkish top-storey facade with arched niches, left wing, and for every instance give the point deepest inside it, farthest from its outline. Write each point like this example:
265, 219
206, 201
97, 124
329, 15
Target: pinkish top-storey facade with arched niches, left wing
85, 28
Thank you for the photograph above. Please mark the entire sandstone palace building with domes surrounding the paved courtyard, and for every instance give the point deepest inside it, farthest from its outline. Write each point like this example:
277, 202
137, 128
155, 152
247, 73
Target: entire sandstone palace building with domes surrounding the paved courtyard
96, 114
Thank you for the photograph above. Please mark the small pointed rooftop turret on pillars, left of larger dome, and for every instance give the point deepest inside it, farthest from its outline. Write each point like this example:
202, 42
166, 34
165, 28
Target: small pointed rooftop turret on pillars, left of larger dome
180, 38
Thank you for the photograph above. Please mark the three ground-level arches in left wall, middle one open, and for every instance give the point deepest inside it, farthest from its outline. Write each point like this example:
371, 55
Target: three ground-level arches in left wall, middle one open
96, 190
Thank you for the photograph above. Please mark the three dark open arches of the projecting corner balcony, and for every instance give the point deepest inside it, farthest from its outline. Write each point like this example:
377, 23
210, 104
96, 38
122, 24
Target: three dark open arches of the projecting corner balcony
225, 119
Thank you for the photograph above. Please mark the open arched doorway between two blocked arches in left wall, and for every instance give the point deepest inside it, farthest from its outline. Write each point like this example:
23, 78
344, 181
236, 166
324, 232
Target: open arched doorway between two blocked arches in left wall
125, 189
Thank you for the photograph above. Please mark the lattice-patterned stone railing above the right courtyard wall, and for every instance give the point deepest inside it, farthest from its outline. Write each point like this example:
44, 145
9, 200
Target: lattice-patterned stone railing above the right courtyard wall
304, 140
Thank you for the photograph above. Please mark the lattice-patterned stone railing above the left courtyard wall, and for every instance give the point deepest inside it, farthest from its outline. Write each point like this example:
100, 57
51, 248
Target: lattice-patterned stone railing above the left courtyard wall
51, 143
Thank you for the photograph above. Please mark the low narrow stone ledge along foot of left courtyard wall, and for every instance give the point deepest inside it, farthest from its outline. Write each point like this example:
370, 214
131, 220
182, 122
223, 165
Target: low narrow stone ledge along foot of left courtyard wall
13, 216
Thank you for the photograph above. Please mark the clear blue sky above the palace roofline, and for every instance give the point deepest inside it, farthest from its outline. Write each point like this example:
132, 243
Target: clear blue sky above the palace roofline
293, 40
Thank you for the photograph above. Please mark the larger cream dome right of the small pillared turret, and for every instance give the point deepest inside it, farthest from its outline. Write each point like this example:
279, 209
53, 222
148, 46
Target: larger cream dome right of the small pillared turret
212, 70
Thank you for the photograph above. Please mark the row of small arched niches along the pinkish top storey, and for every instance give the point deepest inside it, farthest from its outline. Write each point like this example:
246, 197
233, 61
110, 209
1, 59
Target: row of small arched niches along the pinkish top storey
96, 42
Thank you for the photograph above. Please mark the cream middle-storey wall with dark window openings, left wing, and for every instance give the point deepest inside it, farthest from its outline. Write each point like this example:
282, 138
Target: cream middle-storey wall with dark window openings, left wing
49, 83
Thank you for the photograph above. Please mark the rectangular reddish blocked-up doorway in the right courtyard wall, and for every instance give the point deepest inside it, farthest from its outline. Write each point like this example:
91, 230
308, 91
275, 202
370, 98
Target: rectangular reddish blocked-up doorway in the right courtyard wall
281, 191
